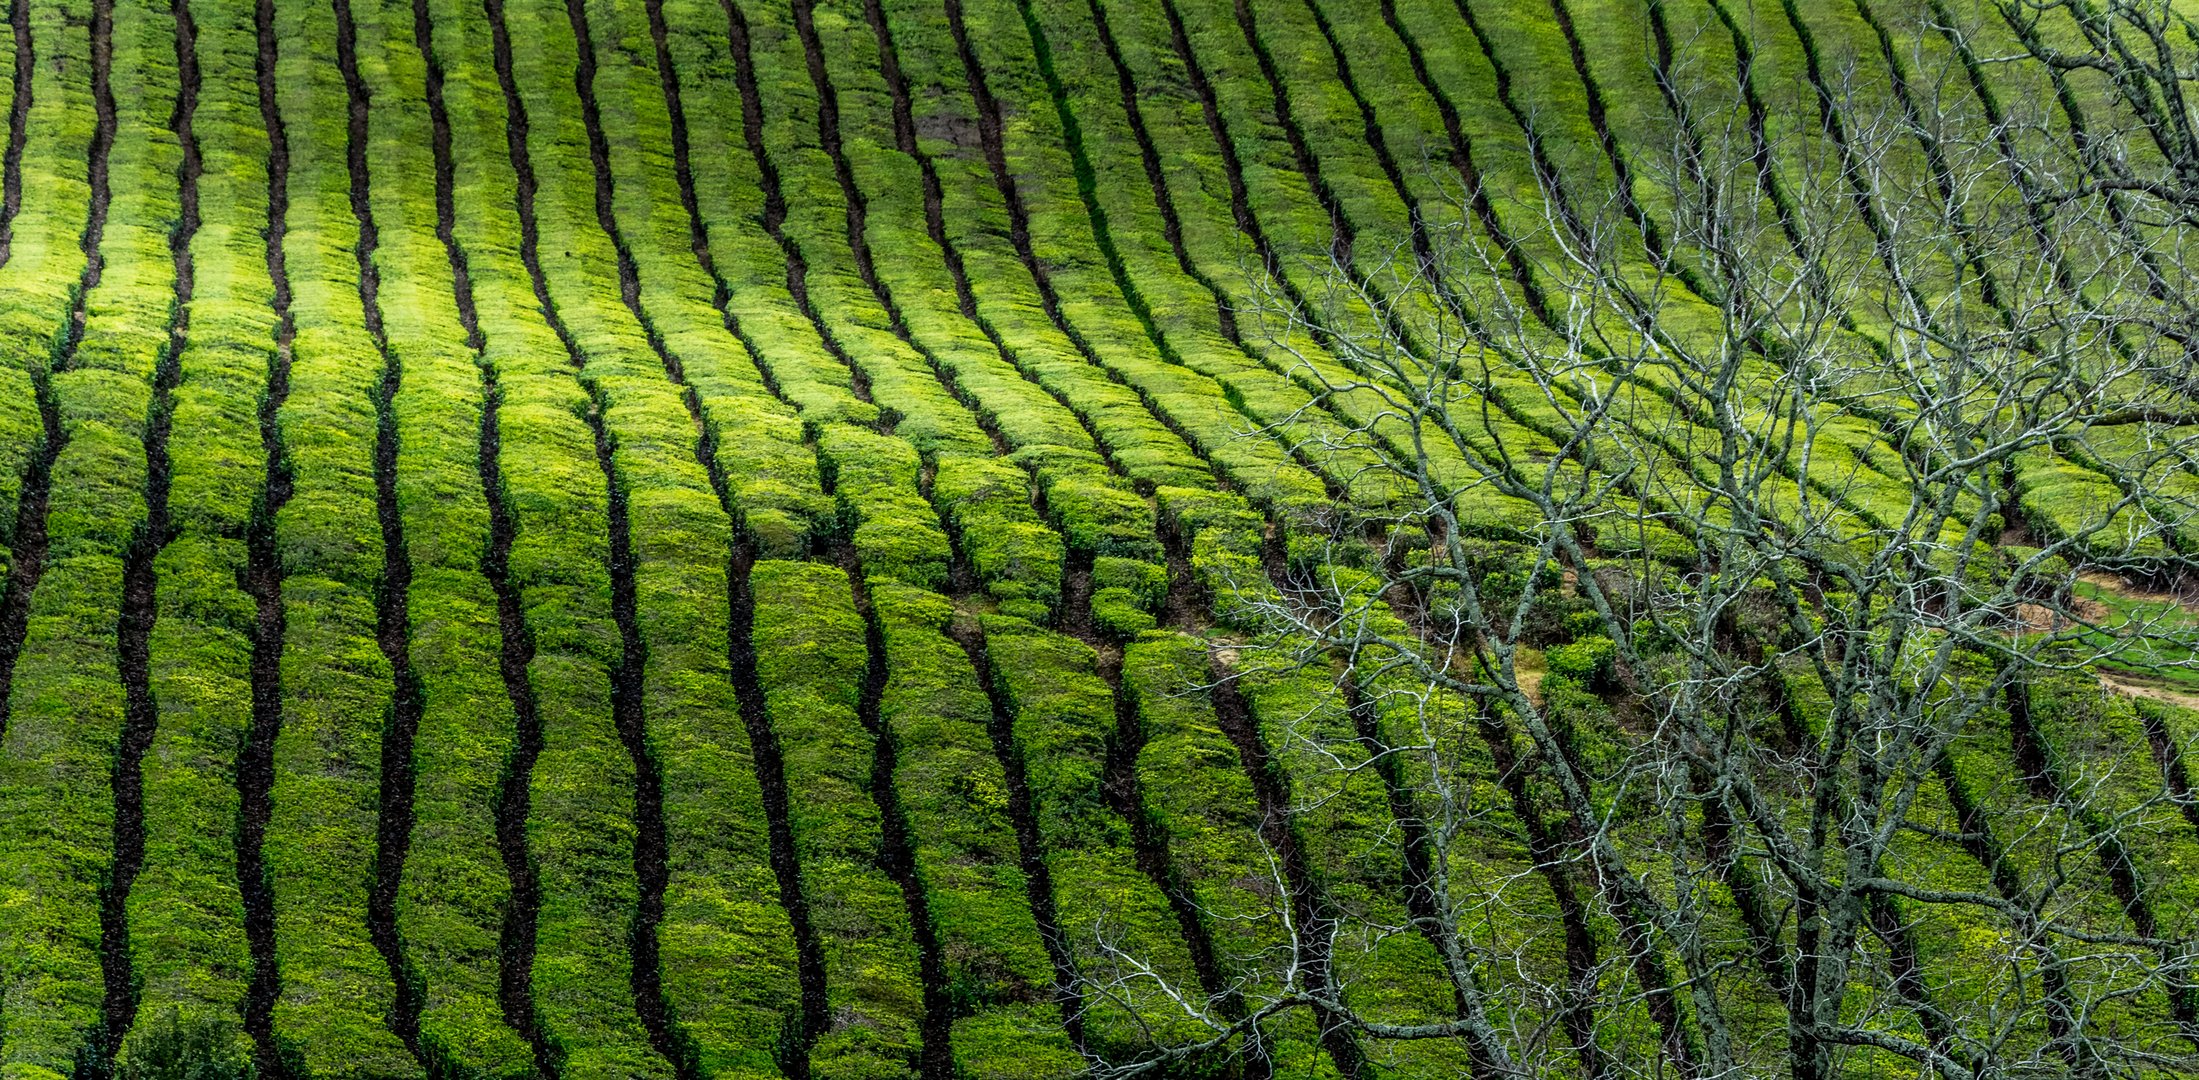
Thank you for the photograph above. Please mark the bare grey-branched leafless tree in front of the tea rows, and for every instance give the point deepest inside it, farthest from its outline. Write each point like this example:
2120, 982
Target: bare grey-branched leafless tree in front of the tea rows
1725, 663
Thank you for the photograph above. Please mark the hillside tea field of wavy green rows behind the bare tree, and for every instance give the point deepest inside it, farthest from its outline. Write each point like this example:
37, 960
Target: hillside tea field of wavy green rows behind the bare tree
700, 538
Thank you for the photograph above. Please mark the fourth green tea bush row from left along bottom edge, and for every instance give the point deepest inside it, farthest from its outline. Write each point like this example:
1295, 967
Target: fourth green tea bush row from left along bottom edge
454, 883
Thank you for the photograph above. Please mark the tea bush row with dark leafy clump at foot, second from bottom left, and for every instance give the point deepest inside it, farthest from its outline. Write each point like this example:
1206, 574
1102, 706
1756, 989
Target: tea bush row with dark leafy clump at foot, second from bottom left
186, 914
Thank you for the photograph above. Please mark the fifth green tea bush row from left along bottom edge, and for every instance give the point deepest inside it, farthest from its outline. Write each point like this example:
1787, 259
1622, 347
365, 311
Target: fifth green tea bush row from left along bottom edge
582, 789
